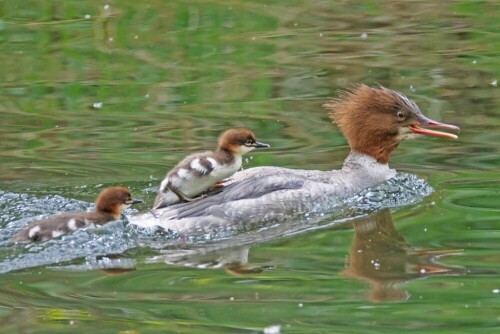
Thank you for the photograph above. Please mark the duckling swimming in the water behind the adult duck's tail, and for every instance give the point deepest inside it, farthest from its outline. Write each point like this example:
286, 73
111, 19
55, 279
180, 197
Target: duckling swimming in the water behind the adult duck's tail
108, 207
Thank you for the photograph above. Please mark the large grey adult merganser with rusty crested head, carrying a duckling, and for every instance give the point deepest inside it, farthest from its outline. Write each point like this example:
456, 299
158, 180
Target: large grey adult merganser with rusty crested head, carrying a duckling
374, 121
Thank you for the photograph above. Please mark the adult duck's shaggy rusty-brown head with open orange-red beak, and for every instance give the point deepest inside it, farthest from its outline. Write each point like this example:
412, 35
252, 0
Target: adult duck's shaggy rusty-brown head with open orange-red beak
375, 120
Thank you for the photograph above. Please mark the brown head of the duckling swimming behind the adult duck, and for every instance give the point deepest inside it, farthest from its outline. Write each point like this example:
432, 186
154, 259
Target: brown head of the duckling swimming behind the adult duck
113, 200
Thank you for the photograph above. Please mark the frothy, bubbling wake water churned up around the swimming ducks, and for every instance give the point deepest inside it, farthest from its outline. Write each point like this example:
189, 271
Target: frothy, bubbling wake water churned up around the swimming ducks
94, 244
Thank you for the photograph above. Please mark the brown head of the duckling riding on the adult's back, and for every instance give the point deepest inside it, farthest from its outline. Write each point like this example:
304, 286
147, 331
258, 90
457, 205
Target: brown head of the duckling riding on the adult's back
239, 141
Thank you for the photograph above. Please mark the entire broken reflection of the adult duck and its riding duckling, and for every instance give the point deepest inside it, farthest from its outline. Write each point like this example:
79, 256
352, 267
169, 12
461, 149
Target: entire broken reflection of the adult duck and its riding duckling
378, 255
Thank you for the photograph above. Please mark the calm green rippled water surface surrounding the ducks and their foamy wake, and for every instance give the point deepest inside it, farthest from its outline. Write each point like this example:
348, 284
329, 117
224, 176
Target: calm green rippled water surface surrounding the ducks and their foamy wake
171, 75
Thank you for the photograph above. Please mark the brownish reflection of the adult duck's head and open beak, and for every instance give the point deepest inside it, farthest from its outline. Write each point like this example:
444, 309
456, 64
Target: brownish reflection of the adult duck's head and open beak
380, 256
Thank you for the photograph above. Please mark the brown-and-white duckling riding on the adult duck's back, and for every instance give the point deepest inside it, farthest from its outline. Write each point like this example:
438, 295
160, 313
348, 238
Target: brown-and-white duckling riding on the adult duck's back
199, 172
